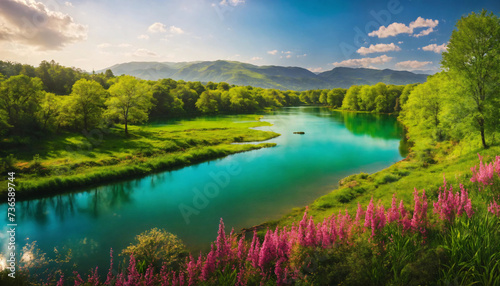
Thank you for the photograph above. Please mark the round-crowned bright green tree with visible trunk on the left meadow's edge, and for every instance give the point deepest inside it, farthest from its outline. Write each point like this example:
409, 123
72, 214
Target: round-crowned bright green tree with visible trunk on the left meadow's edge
130, 100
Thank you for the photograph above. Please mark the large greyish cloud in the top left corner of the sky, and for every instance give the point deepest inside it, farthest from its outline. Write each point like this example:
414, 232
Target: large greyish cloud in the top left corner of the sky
32, 23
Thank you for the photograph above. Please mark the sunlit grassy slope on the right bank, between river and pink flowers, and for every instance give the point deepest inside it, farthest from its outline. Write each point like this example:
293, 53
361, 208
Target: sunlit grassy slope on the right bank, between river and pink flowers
400, 179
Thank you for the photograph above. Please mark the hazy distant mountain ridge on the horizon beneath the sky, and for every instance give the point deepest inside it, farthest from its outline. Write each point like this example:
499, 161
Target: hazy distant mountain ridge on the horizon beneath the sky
279, 77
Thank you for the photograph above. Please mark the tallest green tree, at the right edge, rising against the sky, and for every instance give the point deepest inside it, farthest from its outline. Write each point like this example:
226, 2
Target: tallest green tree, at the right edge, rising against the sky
473, 59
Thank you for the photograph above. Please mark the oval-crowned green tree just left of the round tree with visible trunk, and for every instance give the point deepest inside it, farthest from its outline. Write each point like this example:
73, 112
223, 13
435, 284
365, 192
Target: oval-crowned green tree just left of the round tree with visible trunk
88, 103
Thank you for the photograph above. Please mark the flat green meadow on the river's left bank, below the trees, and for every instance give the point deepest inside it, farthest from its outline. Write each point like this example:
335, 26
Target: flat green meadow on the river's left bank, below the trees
71, 160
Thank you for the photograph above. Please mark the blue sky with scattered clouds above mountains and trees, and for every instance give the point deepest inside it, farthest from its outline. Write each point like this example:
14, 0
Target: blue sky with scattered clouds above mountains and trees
316, 34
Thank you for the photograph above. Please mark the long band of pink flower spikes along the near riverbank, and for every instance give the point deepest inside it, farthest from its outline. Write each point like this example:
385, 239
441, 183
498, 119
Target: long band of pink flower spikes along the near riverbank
279, 256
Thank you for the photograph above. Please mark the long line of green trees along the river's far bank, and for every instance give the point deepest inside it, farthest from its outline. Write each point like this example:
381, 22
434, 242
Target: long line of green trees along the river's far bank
52, 98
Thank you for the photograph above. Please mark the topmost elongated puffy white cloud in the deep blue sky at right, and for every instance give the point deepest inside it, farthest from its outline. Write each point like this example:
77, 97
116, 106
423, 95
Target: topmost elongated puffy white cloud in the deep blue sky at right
400, 28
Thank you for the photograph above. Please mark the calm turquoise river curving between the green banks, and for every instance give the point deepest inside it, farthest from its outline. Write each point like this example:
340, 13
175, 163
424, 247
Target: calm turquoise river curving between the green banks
244, 189
